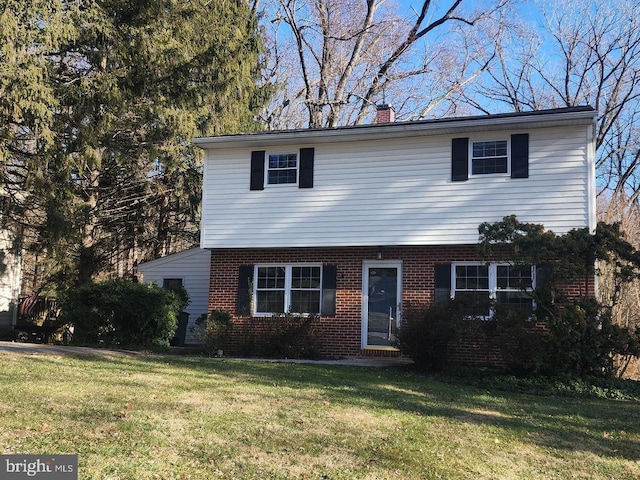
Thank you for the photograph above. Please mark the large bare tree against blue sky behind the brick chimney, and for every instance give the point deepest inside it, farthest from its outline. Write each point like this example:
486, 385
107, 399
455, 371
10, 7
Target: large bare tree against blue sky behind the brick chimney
332, 61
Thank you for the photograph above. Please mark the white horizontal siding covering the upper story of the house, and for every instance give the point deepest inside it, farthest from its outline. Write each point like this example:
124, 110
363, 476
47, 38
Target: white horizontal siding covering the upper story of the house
396, 192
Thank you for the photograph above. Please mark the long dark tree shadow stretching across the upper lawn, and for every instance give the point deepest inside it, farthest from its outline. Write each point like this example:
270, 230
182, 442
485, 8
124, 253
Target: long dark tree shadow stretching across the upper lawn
603, 427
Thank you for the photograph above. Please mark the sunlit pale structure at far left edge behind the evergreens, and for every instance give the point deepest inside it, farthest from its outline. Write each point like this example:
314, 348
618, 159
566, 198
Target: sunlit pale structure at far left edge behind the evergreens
10, 271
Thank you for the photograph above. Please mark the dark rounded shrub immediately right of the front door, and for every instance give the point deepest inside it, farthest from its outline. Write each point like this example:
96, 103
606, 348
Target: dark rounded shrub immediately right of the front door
428, 330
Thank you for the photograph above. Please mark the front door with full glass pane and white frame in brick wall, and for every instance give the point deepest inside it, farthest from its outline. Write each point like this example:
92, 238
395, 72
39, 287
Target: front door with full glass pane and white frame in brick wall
381, 304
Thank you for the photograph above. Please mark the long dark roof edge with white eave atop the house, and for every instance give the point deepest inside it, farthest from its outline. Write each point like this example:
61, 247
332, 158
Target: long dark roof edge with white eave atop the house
582, 115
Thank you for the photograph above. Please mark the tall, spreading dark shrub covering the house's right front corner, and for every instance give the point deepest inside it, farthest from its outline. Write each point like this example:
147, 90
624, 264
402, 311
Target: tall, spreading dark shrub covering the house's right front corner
582, 338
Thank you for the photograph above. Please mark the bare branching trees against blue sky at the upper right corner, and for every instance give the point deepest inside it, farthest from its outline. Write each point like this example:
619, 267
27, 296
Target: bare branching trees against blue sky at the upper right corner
577, 52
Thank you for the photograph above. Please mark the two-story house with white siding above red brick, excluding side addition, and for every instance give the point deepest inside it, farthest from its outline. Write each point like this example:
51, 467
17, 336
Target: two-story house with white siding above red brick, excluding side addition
352, 223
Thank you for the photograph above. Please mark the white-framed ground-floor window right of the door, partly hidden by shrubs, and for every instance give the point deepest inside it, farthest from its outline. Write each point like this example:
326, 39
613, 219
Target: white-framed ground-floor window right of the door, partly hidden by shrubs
481, 284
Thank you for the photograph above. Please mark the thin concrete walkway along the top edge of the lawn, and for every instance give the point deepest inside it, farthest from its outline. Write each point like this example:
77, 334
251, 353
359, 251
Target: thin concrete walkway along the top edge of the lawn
42, 349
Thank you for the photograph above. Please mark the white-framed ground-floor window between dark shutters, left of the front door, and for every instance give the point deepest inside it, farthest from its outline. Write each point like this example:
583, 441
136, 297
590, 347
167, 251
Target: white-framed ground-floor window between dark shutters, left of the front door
288, 288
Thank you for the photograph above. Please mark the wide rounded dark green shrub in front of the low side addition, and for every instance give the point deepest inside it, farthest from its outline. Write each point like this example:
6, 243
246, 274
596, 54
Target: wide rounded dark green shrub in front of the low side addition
122, 313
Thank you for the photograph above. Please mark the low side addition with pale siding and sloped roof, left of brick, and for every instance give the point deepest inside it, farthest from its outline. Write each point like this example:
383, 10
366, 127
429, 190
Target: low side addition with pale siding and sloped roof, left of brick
190, 269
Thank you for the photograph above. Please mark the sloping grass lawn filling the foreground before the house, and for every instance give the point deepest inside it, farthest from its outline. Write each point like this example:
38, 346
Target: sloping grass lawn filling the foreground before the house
161, 417
